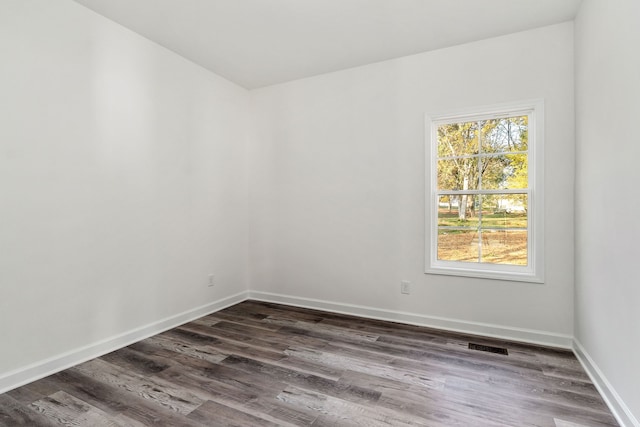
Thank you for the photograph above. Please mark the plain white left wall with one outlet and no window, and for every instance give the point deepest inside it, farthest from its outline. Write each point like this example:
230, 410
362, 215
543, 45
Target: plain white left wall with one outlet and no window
122, 181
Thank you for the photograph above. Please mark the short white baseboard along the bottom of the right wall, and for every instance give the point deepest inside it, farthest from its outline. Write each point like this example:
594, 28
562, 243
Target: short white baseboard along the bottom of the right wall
613, 400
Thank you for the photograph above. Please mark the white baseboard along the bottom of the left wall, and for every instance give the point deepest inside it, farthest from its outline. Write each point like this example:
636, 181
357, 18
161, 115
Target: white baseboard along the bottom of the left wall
71, 358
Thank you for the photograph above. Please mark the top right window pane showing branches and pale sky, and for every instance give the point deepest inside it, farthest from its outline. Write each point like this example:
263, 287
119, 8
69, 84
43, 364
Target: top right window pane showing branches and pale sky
505, 134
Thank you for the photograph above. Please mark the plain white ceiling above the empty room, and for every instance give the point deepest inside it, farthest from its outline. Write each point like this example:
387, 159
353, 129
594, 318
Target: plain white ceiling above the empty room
257, 43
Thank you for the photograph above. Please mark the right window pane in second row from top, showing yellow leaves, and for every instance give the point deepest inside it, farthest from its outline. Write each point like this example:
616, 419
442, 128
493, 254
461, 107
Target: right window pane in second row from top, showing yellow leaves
505, 171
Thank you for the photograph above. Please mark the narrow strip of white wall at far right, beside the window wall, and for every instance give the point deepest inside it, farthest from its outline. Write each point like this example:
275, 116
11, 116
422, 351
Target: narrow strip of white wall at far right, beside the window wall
607, 204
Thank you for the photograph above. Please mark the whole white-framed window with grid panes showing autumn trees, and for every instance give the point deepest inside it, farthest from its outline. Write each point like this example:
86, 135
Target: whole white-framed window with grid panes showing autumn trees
484, 210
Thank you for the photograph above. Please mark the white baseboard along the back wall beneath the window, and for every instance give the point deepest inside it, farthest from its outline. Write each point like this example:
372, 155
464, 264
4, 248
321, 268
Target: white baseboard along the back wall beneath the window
474, 328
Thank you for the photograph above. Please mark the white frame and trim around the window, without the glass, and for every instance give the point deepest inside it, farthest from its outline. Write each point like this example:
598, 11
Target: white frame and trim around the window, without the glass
534, 270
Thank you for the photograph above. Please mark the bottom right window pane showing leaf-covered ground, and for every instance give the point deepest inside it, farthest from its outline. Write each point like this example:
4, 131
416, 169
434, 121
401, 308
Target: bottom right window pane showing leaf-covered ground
504, 247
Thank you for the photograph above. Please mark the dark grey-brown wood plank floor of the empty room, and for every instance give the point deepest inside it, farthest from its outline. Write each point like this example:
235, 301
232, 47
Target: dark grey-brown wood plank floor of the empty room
259, 364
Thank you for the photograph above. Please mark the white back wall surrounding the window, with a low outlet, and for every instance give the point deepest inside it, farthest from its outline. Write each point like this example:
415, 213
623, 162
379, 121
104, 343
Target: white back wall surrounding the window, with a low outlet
337, 181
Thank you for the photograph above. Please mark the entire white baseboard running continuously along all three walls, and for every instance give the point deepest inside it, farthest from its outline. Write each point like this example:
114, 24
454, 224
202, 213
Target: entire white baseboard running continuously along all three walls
66, 360
